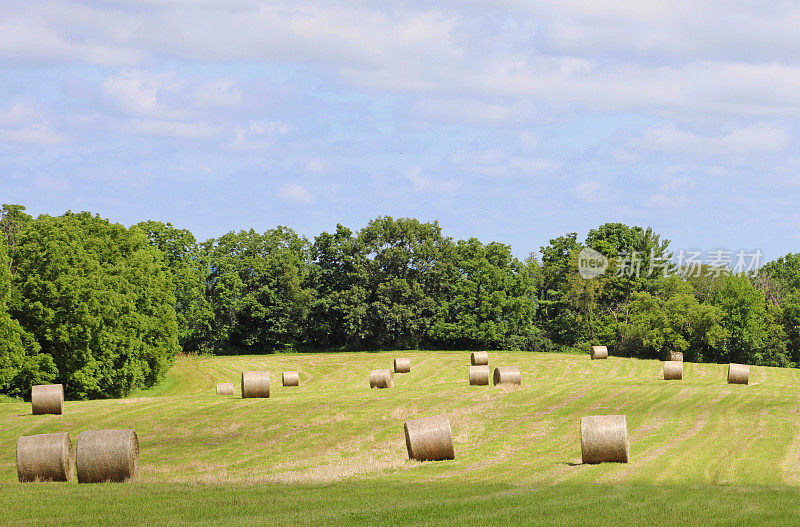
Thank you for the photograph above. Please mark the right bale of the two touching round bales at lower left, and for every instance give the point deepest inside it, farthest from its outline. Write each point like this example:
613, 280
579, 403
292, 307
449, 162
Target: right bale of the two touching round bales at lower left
107, 455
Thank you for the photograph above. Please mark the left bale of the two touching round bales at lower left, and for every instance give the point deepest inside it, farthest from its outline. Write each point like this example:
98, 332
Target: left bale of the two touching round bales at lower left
44, 457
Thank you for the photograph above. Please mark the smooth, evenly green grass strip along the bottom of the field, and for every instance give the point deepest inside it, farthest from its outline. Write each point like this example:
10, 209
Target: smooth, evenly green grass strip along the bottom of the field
381, 503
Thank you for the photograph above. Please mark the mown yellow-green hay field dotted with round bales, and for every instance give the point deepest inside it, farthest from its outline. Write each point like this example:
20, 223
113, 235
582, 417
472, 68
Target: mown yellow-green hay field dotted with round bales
332, 451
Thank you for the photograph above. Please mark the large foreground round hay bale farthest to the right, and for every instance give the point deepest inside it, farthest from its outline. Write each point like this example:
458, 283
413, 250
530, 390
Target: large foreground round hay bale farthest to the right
604, 438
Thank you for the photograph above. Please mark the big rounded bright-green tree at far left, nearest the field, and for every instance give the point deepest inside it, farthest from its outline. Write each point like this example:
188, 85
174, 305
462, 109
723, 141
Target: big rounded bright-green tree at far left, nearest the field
98, 300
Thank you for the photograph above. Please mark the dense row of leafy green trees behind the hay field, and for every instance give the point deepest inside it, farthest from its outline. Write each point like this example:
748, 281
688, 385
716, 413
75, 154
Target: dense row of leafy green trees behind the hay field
104, 309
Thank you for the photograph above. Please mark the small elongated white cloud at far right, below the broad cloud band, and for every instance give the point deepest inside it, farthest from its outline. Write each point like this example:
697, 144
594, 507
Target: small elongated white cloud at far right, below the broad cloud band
757, 138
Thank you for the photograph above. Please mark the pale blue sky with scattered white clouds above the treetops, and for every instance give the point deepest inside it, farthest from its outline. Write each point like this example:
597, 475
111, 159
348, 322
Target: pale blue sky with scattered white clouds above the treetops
508, 120
